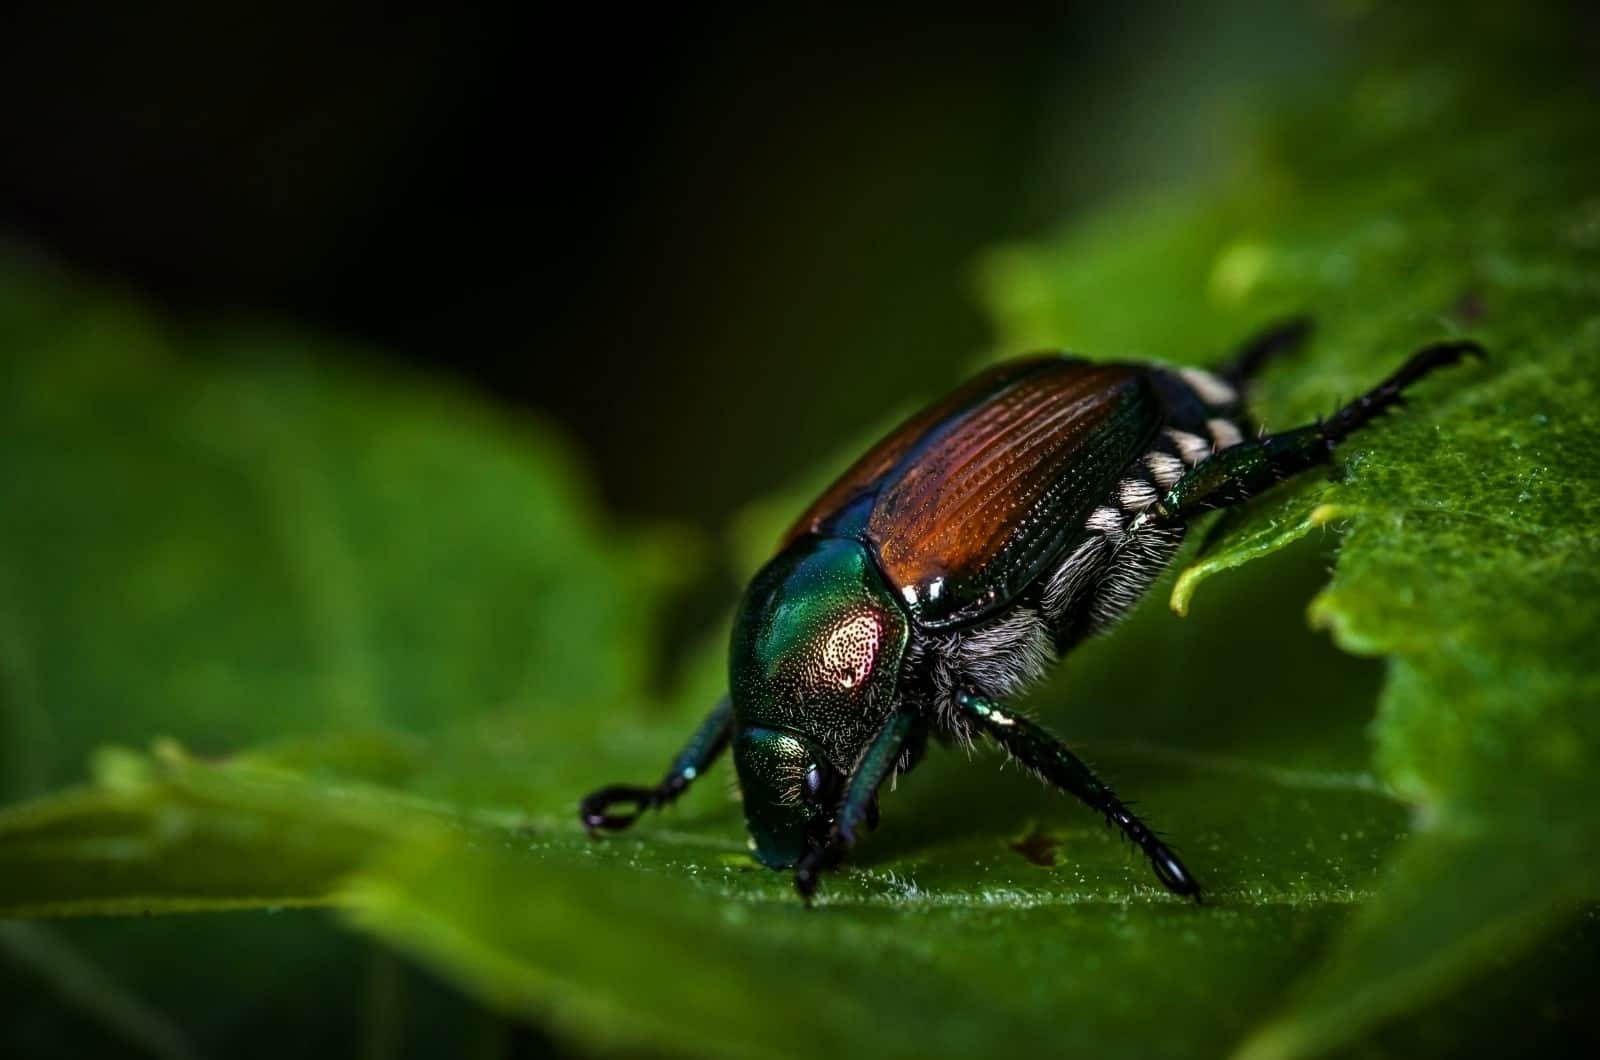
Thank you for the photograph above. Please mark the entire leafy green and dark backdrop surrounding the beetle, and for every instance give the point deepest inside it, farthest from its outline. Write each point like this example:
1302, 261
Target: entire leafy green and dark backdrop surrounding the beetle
394, 404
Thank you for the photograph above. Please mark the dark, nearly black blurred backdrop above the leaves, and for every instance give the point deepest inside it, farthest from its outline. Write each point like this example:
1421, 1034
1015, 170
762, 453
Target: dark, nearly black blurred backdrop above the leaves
623, 220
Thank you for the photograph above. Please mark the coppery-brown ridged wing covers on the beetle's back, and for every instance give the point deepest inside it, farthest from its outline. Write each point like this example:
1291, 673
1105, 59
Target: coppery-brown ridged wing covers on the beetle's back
972, 500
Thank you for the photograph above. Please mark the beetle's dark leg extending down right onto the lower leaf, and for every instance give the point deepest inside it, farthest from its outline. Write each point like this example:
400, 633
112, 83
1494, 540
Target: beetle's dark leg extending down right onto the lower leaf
1055, 763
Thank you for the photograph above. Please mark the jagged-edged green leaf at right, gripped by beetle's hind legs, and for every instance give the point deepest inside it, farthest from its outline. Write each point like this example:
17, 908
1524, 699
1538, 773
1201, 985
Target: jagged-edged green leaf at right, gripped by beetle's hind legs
1468, 550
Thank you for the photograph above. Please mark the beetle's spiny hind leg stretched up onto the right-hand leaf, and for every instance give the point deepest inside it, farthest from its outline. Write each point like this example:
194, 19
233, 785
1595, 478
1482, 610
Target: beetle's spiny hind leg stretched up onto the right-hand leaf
1241, 472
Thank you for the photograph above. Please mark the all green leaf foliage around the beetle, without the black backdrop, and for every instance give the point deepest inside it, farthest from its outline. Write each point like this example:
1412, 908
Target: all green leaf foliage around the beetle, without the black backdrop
382, 643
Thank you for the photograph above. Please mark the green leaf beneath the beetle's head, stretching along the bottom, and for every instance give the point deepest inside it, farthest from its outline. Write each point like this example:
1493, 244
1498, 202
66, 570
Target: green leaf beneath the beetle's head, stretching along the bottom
650, 939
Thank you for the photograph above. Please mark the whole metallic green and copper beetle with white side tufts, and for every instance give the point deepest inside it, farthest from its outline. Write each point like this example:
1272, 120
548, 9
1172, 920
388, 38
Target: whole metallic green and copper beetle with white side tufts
951, 566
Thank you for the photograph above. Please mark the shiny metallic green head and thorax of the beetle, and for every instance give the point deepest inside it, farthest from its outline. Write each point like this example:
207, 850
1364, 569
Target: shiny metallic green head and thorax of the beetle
814, 670
